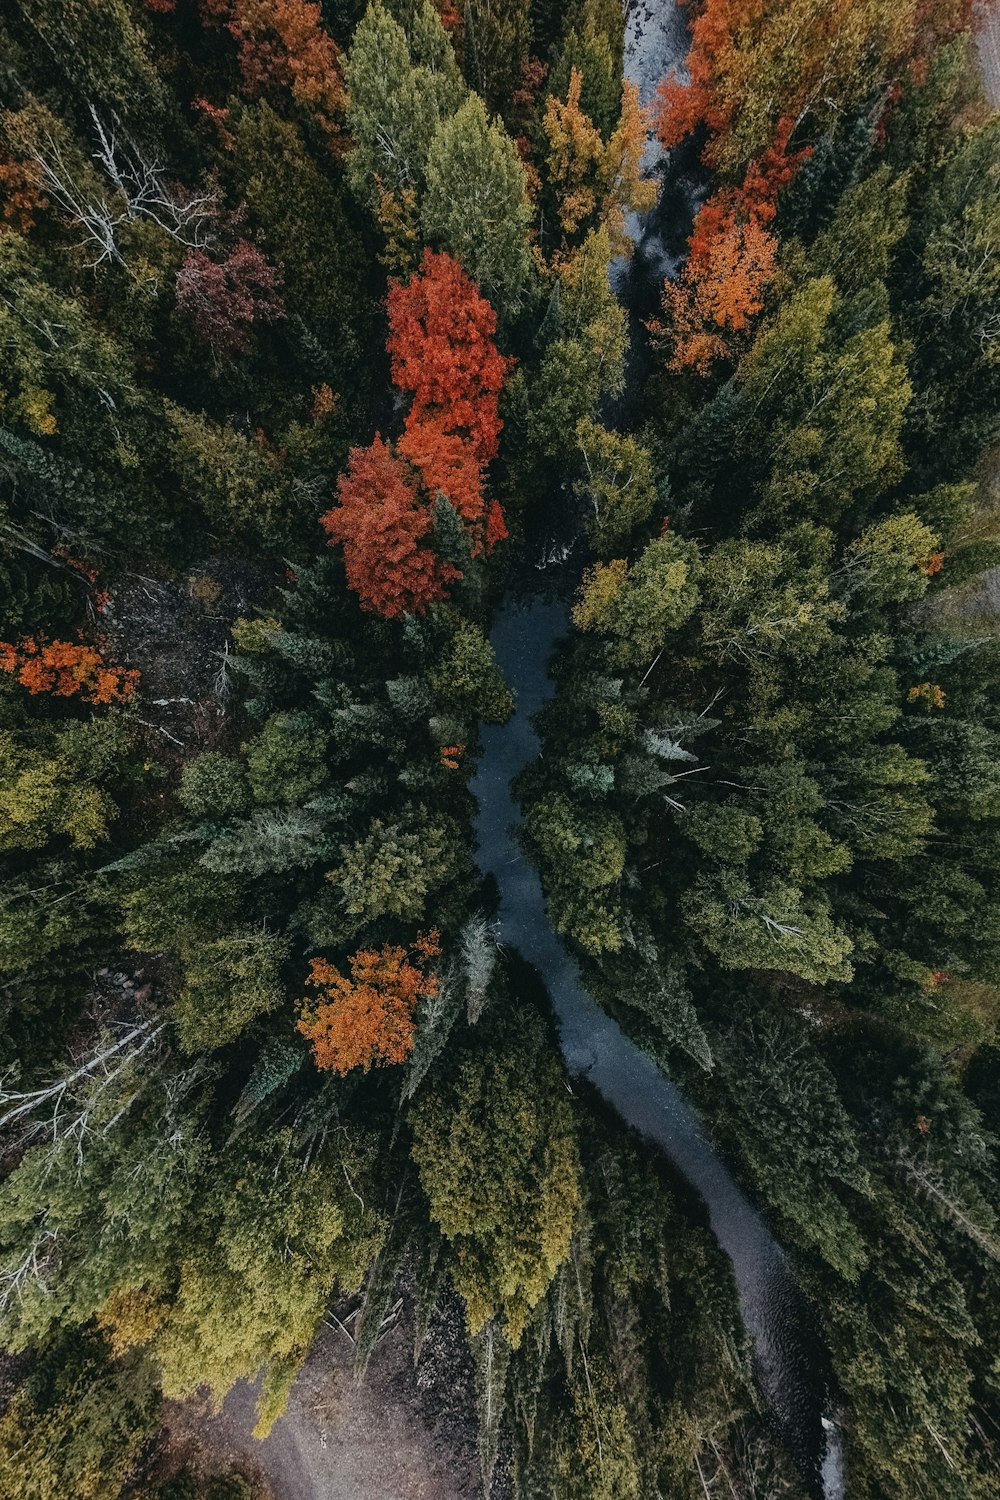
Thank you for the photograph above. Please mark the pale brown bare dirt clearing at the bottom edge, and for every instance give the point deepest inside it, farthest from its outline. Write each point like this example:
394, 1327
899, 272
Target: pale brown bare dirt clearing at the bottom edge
404, 1435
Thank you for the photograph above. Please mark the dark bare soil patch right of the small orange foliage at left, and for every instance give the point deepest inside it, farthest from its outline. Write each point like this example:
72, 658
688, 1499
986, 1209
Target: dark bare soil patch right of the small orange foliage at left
175, 629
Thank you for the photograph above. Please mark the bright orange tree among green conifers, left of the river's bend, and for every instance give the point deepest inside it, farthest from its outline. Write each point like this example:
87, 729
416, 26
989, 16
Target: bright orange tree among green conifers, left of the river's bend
368, 1019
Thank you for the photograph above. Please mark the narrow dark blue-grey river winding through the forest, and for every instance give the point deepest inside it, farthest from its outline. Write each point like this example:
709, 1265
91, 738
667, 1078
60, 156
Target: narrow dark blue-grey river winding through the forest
789, 1360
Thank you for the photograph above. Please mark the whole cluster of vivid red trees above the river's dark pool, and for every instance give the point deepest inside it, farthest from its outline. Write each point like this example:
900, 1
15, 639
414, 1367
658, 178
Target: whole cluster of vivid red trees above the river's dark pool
443, 355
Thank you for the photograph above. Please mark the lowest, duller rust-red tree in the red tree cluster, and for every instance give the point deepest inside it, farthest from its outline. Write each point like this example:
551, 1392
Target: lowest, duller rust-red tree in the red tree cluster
383, 523
